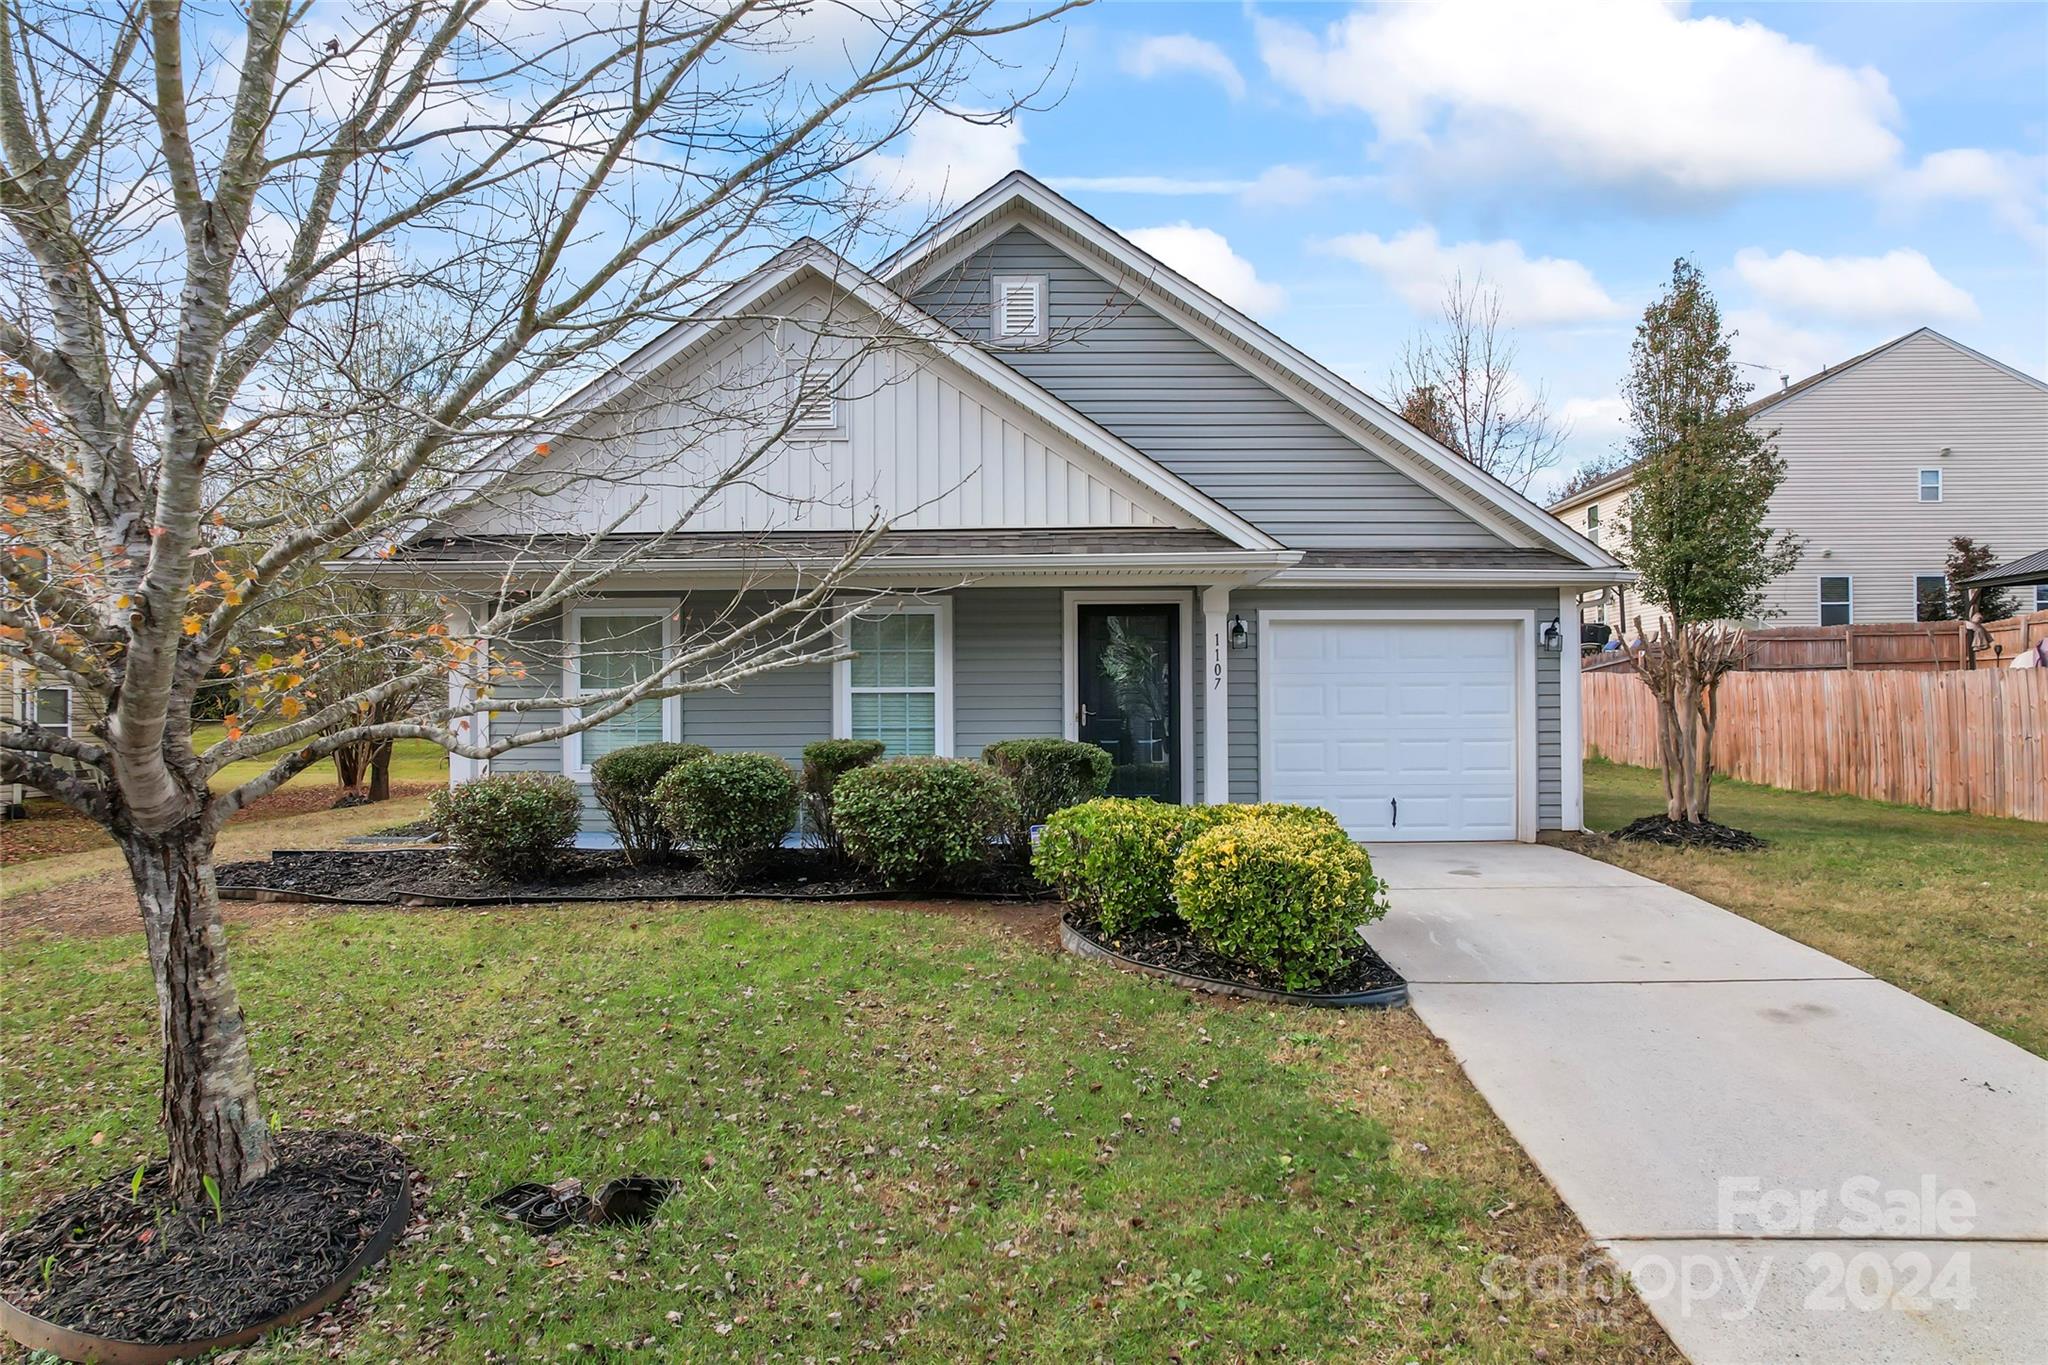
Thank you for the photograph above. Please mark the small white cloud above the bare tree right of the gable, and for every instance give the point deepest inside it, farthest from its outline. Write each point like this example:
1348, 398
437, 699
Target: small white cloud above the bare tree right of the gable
1535, 292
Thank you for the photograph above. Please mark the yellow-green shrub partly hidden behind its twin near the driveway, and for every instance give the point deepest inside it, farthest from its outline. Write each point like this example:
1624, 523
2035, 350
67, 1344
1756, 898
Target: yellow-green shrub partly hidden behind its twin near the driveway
1115, 856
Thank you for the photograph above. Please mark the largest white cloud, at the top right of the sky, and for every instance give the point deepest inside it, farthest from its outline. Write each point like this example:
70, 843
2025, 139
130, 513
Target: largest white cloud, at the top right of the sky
1631, 95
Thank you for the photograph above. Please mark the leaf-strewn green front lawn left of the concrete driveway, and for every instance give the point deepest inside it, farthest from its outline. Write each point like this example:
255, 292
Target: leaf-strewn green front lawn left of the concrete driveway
902, 1137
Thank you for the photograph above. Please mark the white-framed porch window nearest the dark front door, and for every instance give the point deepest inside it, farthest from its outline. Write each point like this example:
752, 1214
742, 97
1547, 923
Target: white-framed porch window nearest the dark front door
898, 685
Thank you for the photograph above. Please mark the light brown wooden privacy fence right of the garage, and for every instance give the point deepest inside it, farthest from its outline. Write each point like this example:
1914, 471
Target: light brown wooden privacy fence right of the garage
1951, 742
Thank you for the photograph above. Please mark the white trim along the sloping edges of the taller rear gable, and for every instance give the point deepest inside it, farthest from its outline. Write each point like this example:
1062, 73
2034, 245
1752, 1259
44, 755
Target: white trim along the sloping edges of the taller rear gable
1349, 408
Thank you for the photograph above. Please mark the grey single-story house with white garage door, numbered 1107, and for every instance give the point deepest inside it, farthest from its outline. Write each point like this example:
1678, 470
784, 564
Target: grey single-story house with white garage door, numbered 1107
1121, 513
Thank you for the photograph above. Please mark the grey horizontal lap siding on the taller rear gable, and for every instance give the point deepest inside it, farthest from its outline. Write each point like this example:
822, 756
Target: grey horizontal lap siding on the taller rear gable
1199, 412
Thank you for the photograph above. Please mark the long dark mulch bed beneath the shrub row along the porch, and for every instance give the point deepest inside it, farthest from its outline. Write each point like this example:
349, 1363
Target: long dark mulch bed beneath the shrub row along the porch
583, 875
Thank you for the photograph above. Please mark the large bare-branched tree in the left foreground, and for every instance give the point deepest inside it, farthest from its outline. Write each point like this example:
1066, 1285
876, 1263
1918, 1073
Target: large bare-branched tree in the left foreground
212, 212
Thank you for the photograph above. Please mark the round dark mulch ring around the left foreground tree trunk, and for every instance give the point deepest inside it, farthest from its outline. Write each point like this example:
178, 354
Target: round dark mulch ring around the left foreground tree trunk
138, 1268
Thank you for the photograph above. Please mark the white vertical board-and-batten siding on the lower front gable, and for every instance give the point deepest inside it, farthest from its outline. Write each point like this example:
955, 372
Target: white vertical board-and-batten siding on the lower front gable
916, 441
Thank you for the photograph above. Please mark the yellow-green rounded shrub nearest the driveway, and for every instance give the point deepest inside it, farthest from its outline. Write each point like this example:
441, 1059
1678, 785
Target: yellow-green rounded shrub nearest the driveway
1281, 893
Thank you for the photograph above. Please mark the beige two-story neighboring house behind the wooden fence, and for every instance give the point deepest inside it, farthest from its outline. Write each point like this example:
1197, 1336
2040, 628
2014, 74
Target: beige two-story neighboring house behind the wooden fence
1889, 457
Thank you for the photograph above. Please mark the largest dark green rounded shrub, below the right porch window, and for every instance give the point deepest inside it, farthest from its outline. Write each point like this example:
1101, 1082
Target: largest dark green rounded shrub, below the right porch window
923, 822
